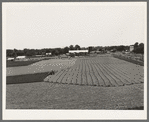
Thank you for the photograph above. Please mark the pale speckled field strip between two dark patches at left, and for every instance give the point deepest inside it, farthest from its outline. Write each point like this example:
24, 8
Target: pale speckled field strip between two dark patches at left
42, 66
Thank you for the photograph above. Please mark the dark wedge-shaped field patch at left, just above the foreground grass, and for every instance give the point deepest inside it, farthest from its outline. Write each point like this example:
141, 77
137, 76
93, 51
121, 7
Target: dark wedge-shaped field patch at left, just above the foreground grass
28, 78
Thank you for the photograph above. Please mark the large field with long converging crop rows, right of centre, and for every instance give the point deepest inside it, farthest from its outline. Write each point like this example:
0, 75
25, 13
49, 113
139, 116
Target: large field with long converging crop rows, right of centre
103, 71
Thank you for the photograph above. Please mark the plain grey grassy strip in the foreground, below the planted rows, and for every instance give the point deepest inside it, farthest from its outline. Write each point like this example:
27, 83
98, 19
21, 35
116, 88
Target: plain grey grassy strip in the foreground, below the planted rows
43, 95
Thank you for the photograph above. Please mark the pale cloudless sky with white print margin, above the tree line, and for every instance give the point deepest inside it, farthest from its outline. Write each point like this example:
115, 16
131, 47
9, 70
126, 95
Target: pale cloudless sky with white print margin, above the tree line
50, 25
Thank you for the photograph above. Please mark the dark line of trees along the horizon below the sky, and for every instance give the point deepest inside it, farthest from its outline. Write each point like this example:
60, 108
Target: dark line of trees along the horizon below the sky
138, 48
